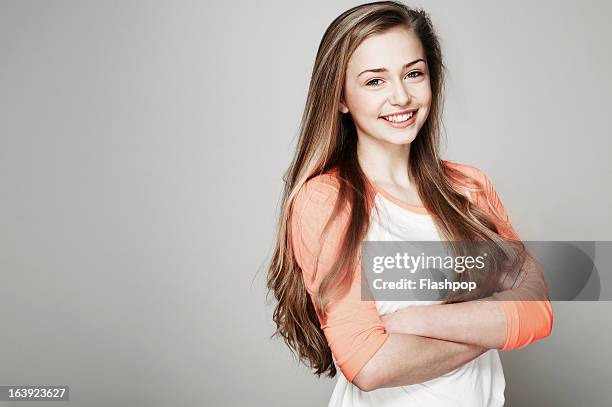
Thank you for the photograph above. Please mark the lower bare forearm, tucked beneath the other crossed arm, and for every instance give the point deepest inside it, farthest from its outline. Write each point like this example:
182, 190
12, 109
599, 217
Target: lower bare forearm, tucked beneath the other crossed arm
408, 359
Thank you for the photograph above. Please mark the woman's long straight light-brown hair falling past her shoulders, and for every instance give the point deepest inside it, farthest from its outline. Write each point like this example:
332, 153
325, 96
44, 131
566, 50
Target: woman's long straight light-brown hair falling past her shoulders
328, 140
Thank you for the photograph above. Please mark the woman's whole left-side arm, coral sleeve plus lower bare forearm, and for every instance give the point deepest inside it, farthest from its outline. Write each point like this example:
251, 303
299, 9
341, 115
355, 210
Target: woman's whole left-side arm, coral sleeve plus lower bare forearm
366, 354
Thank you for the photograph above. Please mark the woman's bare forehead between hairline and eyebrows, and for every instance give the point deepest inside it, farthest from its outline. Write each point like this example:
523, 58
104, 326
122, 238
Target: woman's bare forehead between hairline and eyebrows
391, 49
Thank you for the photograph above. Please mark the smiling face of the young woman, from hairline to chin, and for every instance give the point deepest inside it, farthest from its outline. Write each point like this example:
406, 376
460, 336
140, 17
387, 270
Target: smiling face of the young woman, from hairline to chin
387, 90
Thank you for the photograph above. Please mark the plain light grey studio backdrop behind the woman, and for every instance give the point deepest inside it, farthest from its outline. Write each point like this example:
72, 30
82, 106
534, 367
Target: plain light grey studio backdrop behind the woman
142, 145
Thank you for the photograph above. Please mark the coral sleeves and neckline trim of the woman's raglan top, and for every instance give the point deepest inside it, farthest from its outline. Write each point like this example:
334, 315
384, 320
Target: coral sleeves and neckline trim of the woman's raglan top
353, 328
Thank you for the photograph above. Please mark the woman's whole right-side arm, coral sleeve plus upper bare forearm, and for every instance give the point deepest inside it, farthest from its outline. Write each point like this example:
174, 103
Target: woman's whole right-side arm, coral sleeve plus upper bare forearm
510, 319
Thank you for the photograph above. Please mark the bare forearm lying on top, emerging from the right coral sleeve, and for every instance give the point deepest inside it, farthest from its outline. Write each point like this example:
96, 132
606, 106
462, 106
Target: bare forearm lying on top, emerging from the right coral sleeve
481, 323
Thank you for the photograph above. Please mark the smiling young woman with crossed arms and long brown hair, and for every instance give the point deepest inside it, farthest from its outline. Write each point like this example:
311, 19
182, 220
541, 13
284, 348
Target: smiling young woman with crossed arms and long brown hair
367, 167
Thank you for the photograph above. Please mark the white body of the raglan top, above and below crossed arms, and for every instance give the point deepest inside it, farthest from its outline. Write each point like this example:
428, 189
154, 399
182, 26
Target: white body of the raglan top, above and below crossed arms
477, 383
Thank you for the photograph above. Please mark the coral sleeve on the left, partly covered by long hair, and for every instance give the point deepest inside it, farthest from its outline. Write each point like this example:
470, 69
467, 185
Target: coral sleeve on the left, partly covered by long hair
353, 328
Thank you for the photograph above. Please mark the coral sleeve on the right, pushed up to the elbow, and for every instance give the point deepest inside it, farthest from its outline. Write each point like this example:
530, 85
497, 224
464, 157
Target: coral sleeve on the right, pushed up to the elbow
529, 314
